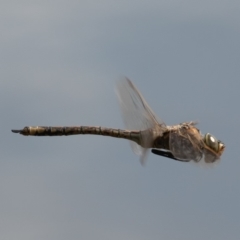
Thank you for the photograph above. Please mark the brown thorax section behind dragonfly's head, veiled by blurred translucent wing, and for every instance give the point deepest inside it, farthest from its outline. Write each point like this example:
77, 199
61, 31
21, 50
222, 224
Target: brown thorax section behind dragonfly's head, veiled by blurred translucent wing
186, 143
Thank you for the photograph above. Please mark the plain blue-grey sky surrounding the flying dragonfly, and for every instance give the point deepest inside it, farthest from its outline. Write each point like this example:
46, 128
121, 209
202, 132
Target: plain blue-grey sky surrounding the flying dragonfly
59, 63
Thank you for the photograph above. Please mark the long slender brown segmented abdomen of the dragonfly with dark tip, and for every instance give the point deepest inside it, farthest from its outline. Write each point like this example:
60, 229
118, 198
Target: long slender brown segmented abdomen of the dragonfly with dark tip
75, 130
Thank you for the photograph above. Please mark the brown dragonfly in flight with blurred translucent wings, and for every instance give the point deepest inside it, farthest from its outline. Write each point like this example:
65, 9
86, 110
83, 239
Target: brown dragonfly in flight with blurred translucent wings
182, 142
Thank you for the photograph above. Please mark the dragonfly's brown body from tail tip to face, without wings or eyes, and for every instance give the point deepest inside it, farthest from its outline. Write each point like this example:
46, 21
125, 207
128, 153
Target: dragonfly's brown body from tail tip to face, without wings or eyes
184, 140
